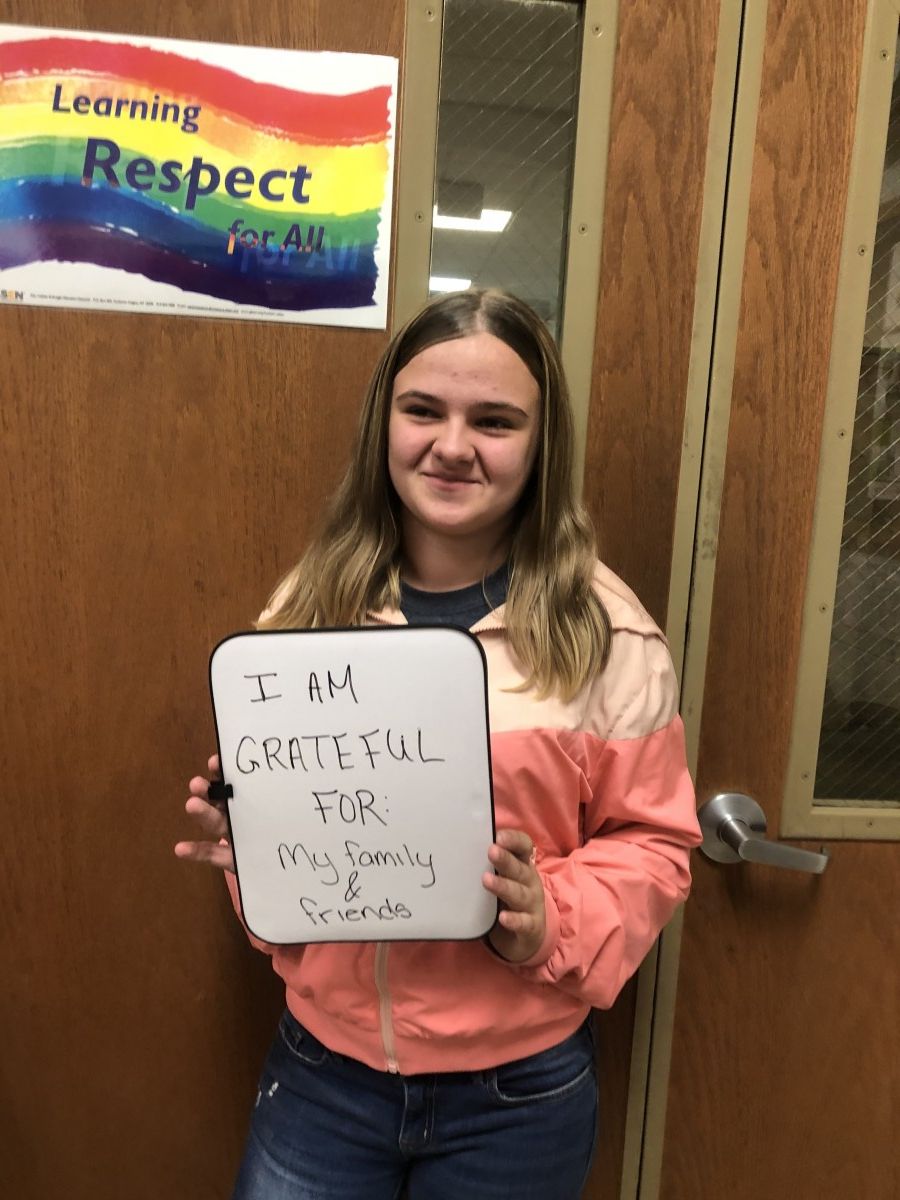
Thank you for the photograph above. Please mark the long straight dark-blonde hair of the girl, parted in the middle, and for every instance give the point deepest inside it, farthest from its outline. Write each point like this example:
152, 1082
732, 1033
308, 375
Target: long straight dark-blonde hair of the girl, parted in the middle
556, 623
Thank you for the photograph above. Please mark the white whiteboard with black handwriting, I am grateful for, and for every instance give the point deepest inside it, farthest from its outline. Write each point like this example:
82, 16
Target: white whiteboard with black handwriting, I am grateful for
361, 775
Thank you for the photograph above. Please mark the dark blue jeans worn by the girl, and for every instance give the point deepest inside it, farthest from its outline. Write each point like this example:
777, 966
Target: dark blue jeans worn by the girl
327, 1127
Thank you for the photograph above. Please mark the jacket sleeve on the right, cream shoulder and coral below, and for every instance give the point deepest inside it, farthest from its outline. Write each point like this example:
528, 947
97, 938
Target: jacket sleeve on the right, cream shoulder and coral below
608, 901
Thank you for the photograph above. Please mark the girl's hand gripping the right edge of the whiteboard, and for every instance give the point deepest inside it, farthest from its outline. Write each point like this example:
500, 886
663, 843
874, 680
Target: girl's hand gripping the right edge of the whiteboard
523, 920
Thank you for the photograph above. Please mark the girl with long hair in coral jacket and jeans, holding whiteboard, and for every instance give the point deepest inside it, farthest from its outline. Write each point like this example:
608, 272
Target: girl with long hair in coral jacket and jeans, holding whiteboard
465, 1069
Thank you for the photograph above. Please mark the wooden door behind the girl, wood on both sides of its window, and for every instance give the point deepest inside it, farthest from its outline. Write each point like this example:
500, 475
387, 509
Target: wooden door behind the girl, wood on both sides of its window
159, 476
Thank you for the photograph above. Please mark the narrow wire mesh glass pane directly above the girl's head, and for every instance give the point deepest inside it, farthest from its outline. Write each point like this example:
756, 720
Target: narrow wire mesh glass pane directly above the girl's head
509, 87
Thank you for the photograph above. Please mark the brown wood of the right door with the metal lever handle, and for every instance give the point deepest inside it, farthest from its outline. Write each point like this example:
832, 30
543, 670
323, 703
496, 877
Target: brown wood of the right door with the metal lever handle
784, 1079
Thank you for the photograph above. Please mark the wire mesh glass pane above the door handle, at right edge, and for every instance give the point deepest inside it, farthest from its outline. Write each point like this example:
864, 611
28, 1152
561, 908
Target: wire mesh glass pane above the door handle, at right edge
860, 741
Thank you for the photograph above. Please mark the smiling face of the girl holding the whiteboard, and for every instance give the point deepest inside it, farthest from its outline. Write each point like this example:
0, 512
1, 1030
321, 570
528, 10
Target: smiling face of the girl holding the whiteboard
463, 437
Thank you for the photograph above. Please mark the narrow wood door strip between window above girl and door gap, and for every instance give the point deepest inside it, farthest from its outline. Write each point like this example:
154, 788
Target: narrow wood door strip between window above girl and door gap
649, 326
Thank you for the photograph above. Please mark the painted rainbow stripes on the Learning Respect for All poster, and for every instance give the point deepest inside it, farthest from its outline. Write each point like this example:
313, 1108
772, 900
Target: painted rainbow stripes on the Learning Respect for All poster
322, 248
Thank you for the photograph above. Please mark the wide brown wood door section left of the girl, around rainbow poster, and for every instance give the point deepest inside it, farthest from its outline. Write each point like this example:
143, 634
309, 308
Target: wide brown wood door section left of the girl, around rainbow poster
158, 476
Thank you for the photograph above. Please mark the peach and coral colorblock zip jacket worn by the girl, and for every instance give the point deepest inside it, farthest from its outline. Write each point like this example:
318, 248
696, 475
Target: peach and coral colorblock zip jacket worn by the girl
602, 785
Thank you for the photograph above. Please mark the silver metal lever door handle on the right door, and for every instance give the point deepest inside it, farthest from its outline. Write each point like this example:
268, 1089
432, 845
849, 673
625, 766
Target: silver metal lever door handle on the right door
734, 831
